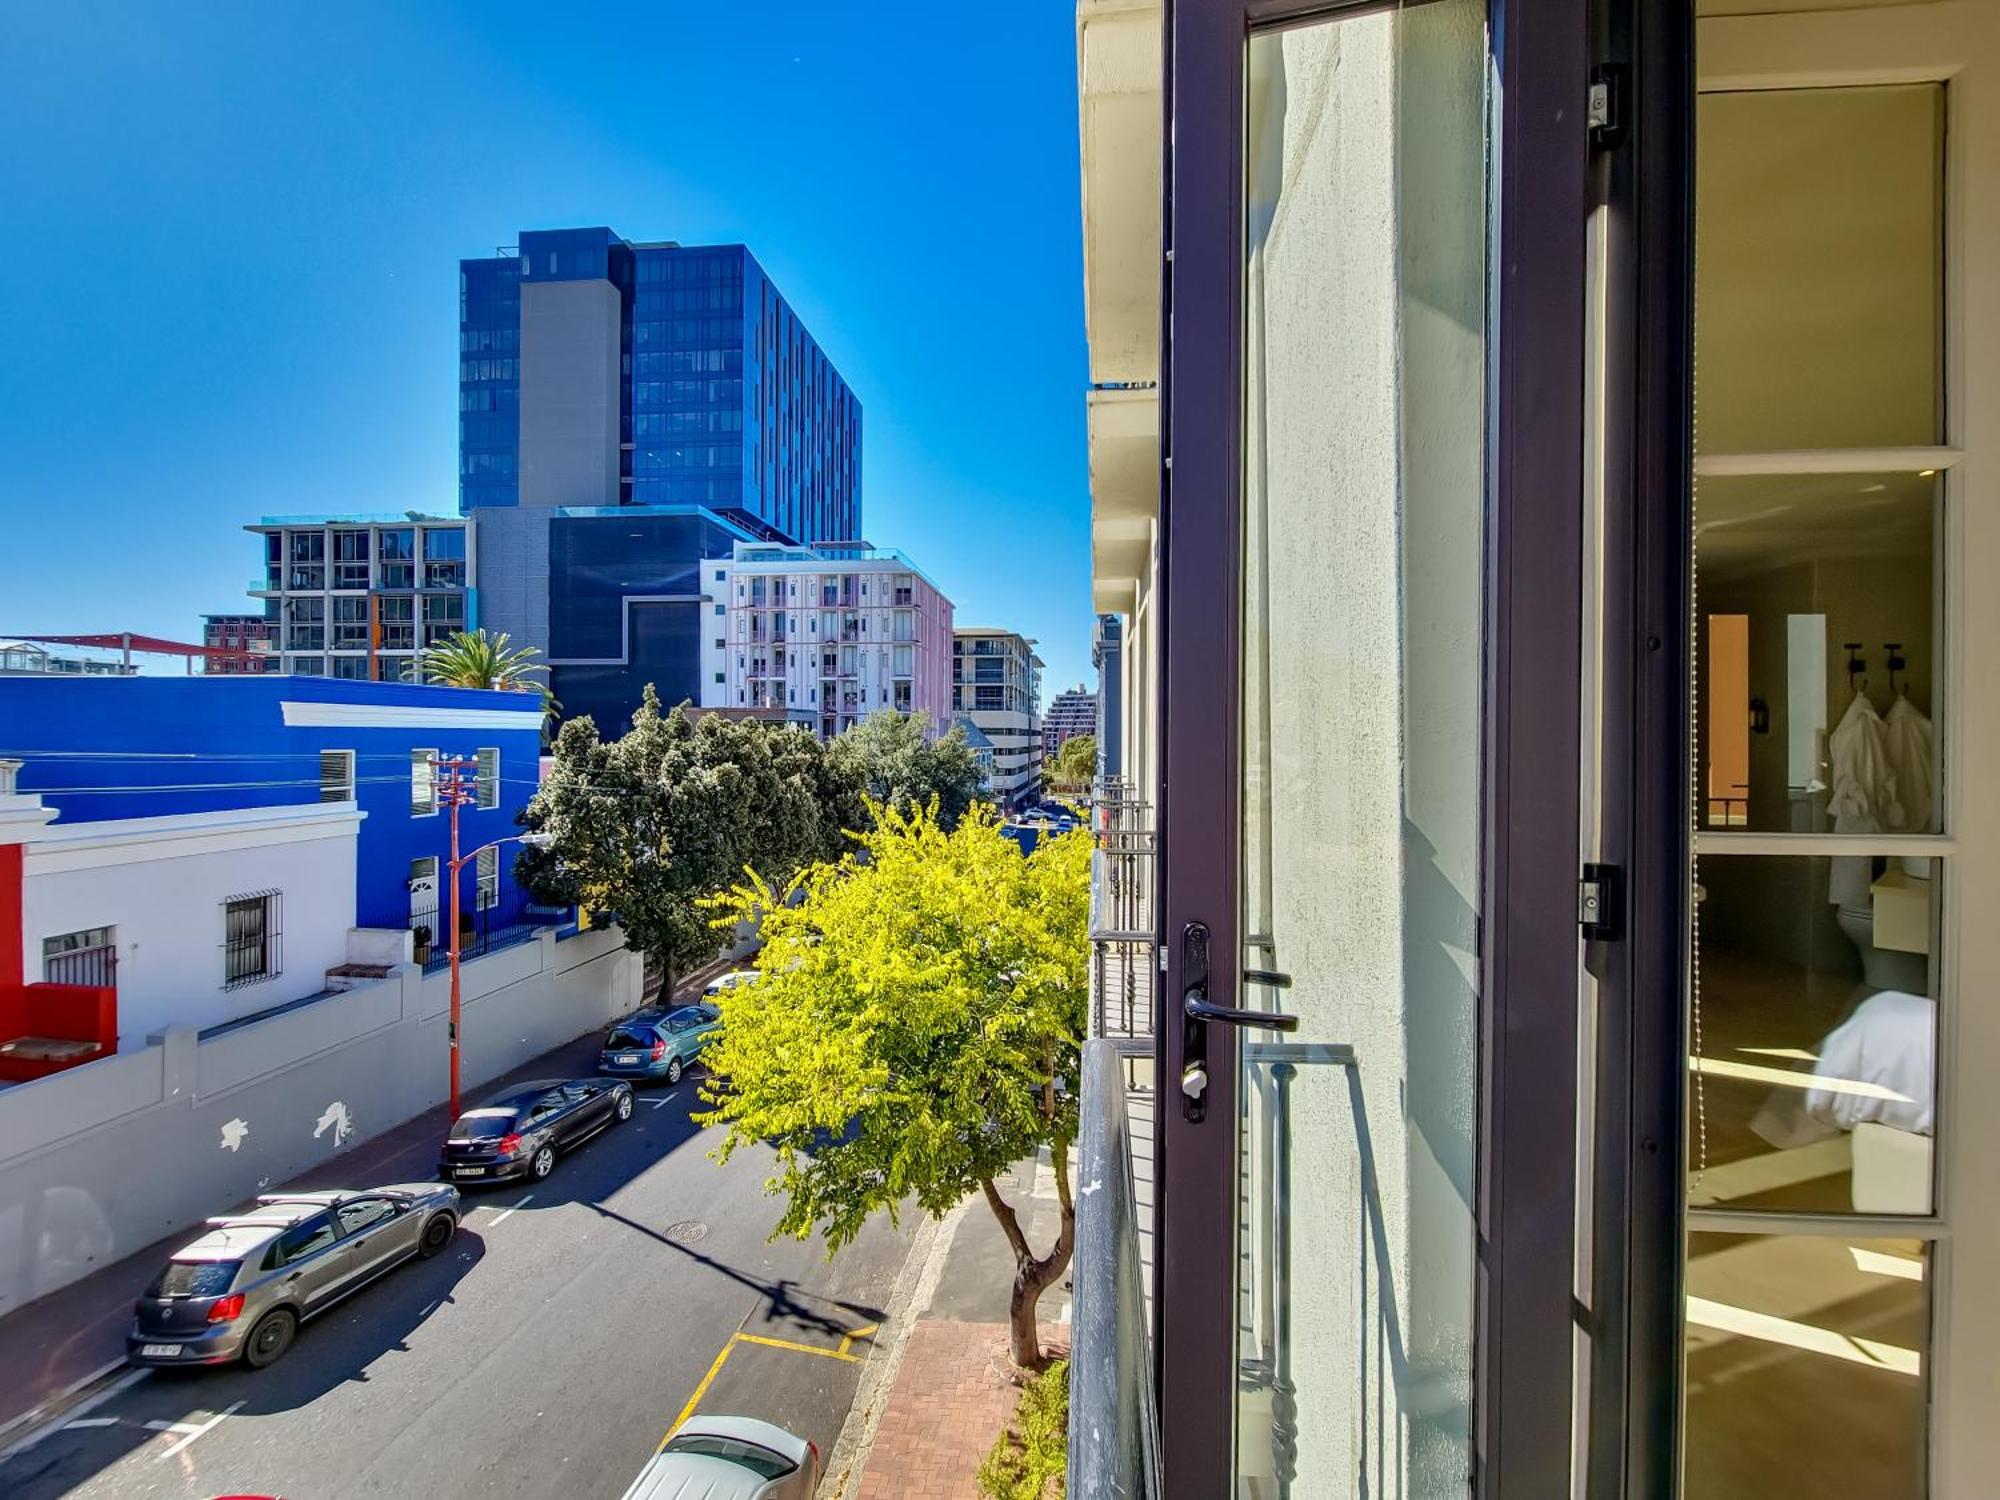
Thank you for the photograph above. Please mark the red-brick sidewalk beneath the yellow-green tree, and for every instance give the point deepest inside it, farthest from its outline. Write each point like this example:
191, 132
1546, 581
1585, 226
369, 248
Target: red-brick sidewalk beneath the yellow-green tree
955, 1387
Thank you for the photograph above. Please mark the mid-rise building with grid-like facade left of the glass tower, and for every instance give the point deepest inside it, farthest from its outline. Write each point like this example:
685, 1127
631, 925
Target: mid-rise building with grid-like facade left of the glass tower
361, 597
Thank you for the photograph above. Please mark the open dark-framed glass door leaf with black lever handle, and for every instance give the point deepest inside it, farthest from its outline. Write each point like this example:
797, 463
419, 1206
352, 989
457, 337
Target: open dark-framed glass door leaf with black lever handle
1369, 563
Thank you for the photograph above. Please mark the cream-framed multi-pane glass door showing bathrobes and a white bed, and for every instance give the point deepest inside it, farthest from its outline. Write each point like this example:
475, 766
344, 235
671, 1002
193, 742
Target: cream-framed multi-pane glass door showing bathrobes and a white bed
1843, 549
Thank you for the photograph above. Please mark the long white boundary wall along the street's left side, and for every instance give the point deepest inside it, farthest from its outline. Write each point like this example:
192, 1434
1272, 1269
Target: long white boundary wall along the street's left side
101, 1161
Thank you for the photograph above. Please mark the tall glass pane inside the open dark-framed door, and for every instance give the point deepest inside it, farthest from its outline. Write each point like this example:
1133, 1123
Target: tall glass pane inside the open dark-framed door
1359, 767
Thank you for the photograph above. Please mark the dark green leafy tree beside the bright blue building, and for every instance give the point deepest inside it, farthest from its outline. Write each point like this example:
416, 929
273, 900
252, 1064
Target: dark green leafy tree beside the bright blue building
677, 811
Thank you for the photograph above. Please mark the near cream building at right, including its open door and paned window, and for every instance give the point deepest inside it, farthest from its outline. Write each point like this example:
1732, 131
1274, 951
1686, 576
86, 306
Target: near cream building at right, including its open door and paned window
1575, 1069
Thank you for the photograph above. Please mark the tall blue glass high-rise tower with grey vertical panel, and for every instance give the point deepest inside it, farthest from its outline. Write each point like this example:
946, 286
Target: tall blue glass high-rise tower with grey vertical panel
625, 411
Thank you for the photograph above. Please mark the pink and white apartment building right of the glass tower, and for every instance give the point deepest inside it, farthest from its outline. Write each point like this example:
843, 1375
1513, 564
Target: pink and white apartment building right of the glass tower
825, 635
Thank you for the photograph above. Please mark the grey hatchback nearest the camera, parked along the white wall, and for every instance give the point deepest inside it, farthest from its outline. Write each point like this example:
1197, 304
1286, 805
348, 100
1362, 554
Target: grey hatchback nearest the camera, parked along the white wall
249, 1281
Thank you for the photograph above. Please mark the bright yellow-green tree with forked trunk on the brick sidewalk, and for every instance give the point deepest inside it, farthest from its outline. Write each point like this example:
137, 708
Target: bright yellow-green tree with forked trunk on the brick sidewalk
917, 1031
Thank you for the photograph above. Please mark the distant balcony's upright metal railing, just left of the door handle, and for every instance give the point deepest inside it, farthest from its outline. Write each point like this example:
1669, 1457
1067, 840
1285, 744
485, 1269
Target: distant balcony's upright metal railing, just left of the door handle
1121, 913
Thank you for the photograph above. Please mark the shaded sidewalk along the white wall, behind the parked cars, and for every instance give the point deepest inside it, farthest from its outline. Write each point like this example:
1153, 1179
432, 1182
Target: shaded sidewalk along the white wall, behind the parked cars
75, 1337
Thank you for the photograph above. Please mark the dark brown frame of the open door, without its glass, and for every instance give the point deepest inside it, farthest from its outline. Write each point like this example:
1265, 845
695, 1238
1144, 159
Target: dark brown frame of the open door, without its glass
1527, 1191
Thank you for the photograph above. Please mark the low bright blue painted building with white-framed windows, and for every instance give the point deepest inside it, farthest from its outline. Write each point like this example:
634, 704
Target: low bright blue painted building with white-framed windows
103, 749
